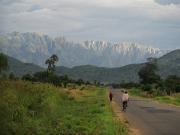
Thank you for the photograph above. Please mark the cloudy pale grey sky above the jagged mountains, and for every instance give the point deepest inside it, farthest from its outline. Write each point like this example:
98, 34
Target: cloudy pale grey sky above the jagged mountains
151, 22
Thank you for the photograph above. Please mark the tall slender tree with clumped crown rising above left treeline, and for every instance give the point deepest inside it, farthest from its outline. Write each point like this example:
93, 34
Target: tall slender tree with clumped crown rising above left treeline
51, 63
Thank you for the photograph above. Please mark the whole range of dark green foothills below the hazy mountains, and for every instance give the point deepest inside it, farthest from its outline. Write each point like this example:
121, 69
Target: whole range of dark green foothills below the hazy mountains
168, 64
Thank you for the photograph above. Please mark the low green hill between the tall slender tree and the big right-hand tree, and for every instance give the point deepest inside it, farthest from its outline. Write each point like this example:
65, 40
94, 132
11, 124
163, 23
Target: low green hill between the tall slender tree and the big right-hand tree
105, 75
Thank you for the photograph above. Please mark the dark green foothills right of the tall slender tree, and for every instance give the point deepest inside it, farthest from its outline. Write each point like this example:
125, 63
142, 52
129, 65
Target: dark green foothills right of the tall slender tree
168, 64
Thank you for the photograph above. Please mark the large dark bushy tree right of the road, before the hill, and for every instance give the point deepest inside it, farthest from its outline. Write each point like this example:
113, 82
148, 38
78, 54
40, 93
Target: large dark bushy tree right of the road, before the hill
147, 74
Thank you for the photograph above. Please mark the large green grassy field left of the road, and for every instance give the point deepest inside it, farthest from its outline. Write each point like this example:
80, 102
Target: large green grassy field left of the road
42, 109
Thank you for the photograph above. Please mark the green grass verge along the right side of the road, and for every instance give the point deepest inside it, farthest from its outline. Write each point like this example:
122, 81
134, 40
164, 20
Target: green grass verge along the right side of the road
174, 99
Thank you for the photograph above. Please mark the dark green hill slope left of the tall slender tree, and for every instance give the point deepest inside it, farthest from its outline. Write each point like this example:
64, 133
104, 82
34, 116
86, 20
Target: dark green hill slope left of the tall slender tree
19, 68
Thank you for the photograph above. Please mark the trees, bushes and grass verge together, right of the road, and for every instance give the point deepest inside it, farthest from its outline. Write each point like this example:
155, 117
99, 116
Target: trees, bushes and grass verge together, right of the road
151, 85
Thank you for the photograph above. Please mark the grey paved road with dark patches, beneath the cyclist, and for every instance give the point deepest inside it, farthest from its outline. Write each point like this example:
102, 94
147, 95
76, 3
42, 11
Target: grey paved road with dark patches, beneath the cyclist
149, 117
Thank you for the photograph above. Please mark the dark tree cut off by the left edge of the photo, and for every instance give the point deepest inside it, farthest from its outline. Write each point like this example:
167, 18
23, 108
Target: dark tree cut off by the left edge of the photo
3, 62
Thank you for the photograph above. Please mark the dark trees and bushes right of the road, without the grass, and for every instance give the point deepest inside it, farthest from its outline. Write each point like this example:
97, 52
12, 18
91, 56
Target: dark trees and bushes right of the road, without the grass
151, 83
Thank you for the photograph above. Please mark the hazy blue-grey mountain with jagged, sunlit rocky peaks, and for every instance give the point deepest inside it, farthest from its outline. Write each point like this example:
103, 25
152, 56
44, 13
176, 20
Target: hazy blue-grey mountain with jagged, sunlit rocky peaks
36, 48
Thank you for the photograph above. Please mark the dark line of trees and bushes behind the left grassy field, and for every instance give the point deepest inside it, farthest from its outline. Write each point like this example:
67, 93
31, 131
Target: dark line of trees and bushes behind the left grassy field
47, 76
